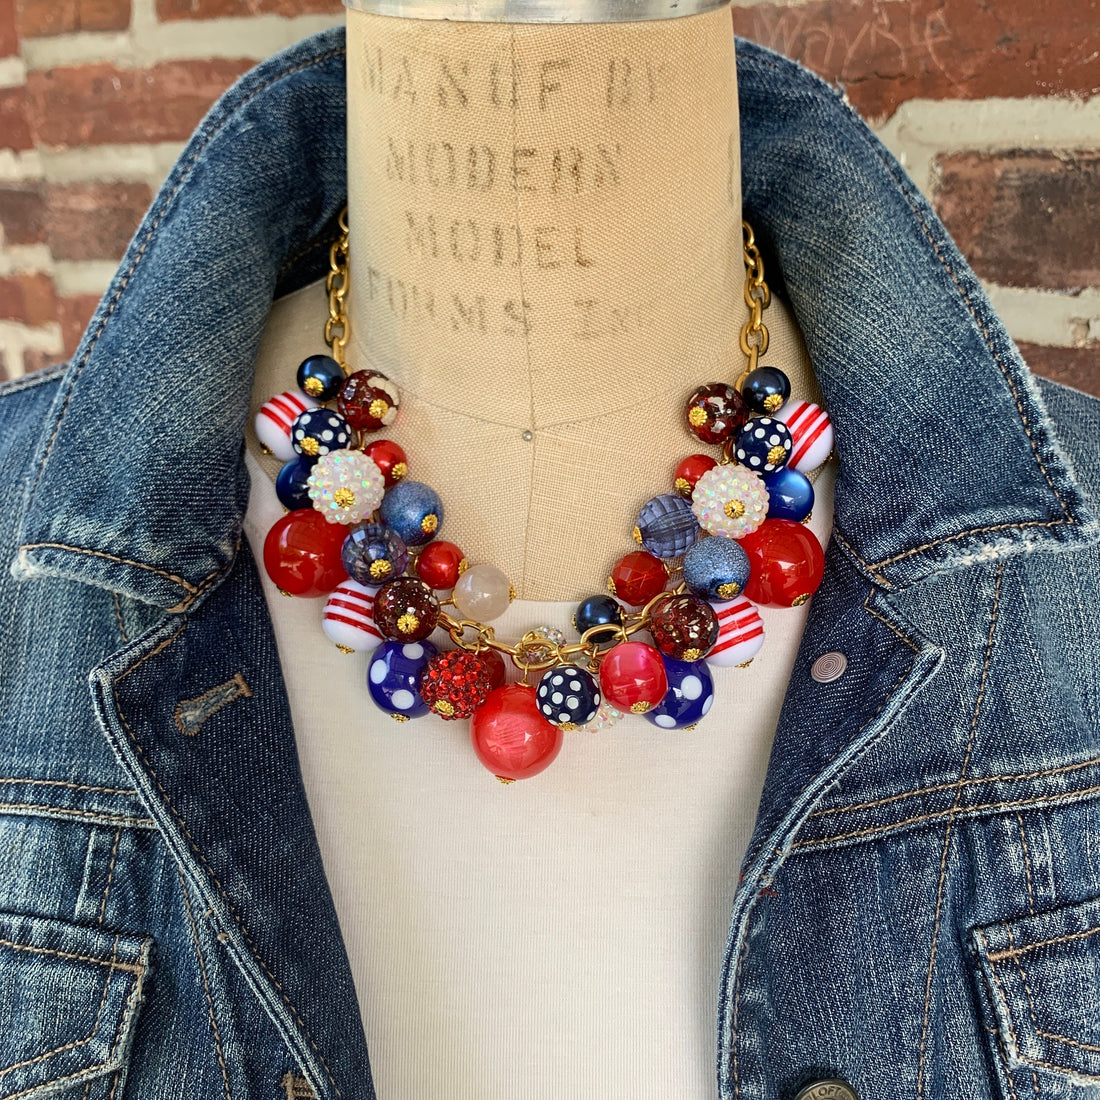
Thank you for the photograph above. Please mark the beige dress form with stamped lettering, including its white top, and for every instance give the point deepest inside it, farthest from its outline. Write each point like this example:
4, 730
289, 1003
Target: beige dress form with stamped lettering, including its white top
546, 258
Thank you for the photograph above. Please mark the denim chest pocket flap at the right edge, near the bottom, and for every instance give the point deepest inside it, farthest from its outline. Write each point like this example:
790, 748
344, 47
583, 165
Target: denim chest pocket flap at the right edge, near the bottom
1043, 977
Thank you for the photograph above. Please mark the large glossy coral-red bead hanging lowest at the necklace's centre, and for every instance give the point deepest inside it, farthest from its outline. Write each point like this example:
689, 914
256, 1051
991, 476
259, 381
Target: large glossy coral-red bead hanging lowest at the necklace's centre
510, 735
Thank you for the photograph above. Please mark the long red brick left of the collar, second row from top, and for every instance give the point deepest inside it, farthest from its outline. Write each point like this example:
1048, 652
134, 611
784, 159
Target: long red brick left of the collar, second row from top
92, 105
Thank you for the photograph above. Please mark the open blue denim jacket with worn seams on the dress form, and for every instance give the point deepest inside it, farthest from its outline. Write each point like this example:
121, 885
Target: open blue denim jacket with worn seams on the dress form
919, 911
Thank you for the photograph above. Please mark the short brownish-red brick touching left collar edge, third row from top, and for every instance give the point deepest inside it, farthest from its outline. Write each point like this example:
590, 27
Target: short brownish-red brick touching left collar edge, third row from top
94, 222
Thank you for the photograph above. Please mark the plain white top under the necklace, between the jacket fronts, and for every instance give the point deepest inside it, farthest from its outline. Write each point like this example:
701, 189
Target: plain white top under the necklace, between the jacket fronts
559, 937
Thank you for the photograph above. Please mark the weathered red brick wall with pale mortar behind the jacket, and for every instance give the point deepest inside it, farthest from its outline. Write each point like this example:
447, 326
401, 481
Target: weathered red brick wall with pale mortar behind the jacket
992, 107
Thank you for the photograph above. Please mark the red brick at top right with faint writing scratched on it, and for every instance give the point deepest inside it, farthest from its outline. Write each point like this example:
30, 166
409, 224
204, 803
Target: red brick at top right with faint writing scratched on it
884, 53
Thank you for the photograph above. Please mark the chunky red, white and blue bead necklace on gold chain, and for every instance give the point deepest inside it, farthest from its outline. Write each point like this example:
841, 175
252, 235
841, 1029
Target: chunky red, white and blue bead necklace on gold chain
729, 537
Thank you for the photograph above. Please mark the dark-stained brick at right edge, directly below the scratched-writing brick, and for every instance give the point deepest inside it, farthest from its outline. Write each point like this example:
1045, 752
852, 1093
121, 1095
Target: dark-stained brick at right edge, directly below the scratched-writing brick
1026, 219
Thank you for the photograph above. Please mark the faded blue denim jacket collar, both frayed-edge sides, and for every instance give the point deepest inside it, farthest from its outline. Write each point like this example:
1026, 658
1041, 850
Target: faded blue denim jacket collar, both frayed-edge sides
949, 457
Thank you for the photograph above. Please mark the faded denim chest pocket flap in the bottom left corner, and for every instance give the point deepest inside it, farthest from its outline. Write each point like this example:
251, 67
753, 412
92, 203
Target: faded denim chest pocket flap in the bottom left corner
69, 1000
